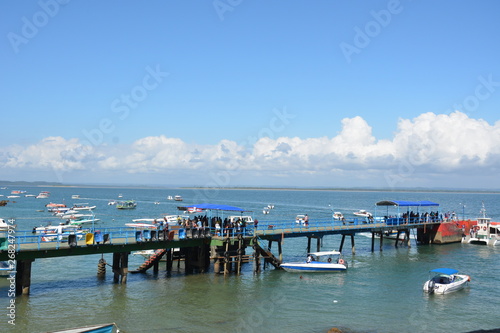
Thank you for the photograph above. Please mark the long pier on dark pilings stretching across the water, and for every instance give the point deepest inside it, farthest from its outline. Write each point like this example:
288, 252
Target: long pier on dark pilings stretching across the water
228, 252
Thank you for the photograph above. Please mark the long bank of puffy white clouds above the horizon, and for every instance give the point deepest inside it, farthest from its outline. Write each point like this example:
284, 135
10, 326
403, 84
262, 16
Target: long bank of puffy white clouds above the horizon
429, 143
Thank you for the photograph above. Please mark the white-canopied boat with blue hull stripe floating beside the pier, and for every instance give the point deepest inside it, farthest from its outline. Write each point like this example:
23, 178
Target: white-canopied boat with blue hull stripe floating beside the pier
317, 262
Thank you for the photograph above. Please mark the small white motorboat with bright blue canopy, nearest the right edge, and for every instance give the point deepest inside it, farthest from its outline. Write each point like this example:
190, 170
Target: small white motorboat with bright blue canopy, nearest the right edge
445, 280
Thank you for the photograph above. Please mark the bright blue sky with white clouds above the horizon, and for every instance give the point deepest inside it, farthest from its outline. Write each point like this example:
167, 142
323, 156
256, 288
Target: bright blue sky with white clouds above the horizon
388, 94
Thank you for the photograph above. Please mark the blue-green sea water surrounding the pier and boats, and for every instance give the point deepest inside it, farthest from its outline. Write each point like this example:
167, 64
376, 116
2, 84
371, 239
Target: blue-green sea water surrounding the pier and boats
380, 292
